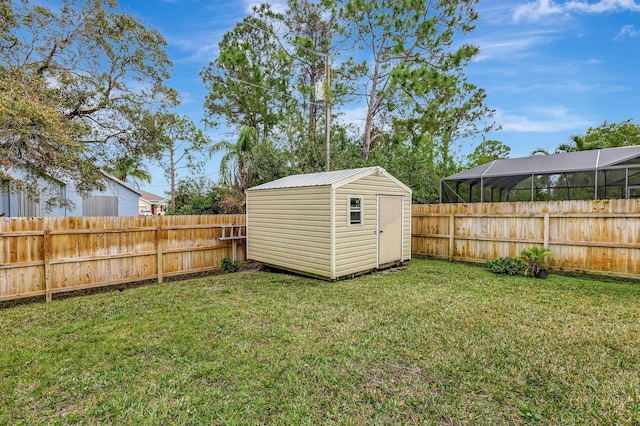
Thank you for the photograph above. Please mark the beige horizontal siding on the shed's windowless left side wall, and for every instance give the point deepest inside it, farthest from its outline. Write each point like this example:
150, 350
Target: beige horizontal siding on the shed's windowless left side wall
291, 228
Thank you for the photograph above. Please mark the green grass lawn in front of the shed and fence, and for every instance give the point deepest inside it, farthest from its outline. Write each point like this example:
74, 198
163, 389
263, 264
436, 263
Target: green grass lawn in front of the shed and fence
436, 343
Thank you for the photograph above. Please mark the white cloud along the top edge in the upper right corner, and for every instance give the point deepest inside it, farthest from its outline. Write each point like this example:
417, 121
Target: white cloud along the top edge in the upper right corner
543, 8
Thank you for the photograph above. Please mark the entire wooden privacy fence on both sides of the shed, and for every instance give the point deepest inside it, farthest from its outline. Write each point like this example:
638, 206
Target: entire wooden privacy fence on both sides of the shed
42, 256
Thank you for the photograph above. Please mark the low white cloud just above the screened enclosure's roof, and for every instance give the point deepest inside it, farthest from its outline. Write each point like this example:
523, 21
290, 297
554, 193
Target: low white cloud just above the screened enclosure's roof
541, 119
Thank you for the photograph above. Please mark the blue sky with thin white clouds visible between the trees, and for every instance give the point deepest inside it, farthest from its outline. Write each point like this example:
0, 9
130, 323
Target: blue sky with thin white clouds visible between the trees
550, 69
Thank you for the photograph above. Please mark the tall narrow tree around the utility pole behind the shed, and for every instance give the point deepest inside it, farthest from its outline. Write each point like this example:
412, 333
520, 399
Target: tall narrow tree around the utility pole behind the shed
310, 40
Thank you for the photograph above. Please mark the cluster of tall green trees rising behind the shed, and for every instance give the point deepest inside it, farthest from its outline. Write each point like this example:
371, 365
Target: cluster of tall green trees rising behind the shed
396, 60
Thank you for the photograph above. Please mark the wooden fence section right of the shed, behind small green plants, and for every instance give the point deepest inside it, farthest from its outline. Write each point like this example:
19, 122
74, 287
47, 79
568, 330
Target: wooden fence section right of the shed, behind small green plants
601, 236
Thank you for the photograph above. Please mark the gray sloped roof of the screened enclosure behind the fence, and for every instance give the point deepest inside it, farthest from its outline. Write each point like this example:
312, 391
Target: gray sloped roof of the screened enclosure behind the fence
599, 159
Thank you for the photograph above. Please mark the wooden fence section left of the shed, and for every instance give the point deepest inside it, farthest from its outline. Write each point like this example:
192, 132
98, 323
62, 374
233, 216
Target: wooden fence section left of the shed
42, 256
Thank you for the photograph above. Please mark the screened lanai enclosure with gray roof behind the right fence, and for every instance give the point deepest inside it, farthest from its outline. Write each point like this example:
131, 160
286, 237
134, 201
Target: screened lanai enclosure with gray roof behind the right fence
612, 173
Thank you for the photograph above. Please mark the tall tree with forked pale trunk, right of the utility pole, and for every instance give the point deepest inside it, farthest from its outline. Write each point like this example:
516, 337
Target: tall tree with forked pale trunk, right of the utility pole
415, 74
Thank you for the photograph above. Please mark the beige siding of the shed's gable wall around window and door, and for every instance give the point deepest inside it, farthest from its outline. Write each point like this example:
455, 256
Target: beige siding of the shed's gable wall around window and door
357, 246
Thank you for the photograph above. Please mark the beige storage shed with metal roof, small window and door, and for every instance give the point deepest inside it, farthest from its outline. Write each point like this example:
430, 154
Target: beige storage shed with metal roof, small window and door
330, 225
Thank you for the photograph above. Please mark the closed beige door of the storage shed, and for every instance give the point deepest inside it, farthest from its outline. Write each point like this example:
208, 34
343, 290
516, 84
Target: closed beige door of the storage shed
389, 228
